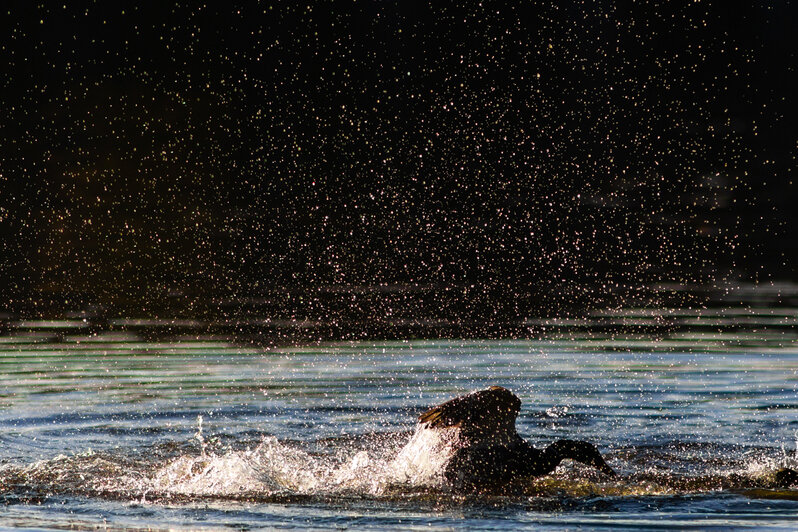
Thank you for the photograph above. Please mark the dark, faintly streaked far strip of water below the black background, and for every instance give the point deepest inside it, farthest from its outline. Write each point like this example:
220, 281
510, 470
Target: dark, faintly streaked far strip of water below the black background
740, 317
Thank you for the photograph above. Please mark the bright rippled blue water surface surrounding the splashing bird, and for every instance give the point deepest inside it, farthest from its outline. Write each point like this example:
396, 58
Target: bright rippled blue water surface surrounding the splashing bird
107, 429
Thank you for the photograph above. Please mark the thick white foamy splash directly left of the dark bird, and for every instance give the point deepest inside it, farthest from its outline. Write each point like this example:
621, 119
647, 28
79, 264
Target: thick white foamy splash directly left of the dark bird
273, 467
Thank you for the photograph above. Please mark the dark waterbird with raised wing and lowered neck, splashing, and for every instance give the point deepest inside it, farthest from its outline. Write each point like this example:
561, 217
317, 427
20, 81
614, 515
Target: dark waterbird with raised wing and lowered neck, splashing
490, 455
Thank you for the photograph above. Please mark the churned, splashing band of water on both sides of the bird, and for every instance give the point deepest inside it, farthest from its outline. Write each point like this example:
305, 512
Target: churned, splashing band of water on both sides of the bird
381, 468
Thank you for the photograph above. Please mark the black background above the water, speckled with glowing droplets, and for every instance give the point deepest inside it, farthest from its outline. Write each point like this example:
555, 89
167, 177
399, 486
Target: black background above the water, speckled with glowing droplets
378, 159
